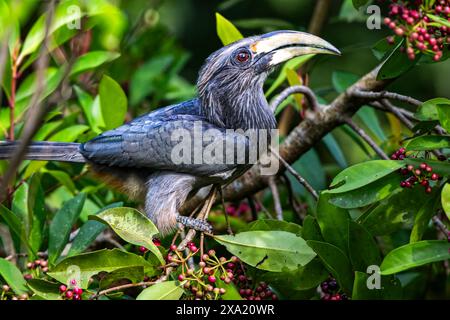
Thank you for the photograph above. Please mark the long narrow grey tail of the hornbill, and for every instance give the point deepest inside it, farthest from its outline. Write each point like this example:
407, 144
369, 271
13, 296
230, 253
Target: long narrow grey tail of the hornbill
45, 150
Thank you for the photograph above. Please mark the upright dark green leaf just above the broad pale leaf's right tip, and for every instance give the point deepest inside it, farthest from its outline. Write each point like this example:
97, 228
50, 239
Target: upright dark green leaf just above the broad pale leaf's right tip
333, 222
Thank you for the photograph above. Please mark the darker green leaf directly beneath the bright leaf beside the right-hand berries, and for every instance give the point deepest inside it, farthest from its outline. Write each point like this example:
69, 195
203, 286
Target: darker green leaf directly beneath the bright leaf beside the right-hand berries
368, 194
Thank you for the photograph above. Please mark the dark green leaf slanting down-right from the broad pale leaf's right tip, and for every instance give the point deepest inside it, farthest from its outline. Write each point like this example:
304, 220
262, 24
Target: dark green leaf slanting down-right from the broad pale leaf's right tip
336, 262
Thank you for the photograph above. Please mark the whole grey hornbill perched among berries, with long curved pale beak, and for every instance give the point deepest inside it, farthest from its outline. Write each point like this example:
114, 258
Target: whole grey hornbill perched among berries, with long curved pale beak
137, 155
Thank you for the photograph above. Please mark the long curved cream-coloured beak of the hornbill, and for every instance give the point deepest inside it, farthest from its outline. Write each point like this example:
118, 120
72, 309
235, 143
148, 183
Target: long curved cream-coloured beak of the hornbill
285, 45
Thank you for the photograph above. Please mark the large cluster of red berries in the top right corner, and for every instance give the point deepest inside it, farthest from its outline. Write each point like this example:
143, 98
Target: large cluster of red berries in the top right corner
410, 20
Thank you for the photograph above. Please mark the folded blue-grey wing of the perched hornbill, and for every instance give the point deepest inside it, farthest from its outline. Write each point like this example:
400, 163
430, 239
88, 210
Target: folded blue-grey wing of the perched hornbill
149, 141
